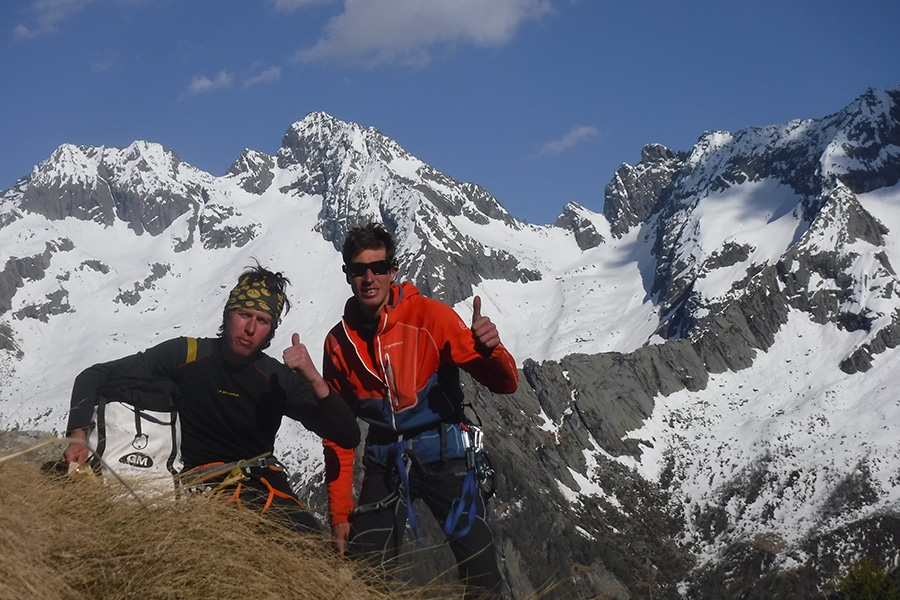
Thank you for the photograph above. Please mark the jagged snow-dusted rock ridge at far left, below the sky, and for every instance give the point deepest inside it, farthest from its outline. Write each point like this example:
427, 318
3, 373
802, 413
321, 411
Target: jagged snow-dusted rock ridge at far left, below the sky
144, 186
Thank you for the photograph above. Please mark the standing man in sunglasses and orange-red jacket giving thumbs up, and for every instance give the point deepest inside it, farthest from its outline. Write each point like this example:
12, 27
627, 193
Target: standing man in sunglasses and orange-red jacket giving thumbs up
394, 358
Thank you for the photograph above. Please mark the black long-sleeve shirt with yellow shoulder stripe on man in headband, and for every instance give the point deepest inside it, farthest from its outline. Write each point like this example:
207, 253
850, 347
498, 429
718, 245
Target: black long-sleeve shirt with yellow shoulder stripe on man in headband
228, 412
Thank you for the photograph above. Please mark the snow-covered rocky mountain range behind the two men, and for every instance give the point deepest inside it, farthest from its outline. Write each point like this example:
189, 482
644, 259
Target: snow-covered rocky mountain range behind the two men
707, 401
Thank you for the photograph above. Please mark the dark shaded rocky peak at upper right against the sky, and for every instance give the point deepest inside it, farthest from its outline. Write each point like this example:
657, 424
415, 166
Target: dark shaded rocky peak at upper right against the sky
810, 157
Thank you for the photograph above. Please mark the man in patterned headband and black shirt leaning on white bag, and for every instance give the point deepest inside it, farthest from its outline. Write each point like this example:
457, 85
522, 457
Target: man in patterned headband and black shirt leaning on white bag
233, 396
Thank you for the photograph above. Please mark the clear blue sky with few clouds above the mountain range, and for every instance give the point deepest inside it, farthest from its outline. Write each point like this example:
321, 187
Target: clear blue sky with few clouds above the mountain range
538, 101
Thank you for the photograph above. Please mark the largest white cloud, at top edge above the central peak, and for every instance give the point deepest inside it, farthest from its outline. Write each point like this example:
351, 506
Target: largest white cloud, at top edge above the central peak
383, 31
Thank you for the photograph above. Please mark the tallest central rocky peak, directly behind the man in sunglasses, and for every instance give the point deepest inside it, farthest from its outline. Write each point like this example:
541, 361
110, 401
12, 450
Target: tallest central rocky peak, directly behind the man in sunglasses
363, 176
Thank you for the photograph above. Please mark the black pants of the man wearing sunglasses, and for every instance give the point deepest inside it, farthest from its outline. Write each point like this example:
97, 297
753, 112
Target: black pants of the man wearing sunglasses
377, 533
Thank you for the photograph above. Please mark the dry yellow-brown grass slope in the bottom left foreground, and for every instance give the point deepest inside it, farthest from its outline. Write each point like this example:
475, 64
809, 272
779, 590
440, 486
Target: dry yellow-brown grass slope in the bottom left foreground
64, 538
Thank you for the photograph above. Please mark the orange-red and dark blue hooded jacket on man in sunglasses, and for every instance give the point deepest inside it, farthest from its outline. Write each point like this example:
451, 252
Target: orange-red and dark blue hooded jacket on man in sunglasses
399, 376
